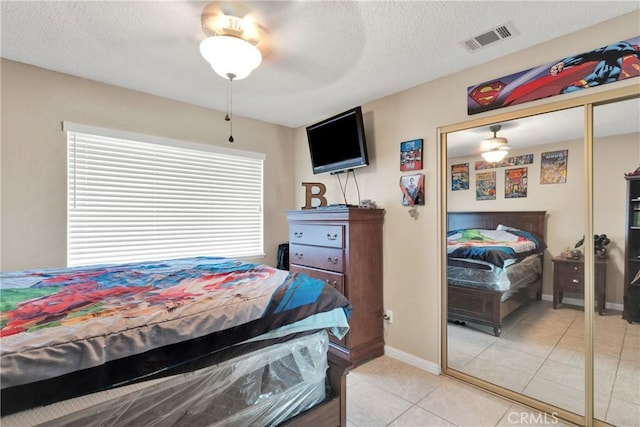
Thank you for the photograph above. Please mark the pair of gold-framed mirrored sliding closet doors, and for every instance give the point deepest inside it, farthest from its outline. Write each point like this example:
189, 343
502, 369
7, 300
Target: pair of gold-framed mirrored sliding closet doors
530, 338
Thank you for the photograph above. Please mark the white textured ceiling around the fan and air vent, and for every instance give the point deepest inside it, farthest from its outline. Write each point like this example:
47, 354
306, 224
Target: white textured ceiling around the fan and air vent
326, 56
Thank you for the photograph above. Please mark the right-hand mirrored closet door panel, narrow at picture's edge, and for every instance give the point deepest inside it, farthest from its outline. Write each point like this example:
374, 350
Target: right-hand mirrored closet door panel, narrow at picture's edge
616, 346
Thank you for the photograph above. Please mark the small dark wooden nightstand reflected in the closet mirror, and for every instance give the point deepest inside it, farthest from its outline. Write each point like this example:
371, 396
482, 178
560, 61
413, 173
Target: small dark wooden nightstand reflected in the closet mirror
568, 276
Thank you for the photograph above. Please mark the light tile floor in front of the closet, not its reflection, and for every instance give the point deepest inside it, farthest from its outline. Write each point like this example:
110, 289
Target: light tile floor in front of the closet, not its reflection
388, 392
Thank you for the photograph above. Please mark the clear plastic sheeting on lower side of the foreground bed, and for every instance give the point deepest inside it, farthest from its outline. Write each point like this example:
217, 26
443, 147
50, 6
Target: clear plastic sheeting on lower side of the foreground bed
265, 388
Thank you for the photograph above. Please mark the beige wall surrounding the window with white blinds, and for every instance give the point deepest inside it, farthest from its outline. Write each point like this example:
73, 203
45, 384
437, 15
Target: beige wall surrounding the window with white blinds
33, 175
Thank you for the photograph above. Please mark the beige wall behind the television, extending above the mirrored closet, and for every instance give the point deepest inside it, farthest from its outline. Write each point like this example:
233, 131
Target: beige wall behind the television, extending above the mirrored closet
411, 256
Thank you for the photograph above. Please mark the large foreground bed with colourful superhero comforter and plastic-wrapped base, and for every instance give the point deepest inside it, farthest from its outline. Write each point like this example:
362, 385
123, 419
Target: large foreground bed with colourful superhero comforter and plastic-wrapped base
194, 341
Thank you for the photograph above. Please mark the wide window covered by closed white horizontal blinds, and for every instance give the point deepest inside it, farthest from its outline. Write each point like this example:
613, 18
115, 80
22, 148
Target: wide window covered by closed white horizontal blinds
137, 198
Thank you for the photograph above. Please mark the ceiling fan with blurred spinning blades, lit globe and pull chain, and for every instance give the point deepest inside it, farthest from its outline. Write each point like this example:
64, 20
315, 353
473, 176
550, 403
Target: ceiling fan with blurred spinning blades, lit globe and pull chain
286, 37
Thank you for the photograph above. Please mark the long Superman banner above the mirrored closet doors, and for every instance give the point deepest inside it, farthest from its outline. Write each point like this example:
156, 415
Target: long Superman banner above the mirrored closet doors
608, 64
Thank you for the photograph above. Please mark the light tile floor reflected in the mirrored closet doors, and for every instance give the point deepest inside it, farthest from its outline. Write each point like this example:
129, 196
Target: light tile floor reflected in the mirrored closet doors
540, 354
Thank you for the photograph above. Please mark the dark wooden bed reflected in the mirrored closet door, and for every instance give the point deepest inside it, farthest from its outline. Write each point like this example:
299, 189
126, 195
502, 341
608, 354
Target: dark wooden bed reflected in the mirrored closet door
472, 296
